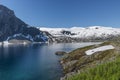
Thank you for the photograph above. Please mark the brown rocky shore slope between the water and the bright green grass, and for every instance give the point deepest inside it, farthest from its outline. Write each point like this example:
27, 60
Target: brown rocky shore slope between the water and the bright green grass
77, 61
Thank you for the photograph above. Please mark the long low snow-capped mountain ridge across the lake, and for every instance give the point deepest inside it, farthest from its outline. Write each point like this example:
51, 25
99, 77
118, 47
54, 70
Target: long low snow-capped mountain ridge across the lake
77, 34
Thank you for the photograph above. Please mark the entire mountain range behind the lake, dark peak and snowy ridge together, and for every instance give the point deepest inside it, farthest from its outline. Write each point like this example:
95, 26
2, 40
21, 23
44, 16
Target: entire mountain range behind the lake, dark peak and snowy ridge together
12, 29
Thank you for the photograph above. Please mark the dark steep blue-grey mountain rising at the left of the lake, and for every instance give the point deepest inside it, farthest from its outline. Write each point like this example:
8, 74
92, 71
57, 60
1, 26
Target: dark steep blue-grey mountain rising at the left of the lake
12, 27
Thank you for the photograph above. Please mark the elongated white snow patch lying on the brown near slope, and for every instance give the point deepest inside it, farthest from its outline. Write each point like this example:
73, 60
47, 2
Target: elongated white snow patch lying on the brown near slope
102, 48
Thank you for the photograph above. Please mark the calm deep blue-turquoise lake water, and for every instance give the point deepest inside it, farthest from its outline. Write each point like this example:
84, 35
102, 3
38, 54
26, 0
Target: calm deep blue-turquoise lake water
33, 61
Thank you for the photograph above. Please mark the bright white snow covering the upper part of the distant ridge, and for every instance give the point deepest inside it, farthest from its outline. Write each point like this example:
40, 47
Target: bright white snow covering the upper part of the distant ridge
80, 32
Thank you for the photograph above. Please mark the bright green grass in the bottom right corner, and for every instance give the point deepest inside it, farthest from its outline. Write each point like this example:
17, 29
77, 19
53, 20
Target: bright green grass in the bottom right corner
106, 71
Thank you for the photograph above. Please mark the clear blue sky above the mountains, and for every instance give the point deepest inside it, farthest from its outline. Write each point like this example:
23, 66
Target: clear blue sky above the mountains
66, 13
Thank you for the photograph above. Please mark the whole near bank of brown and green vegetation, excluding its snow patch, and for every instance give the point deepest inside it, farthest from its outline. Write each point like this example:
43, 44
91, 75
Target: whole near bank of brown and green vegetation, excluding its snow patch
104, 65
